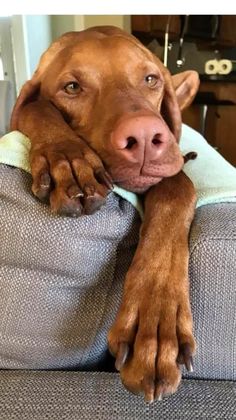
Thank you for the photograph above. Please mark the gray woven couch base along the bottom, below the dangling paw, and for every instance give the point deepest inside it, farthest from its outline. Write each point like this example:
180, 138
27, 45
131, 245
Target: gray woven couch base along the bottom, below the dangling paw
100, 396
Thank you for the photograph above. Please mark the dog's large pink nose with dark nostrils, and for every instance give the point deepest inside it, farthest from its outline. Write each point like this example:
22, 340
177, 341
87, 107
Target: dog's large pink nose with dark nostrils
140, 138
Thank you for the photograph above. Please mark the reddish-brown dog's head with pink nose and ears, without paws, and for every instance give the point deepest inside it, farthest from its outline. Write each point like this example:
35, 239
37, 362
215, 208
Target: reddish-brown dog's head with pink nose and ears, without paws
120, 98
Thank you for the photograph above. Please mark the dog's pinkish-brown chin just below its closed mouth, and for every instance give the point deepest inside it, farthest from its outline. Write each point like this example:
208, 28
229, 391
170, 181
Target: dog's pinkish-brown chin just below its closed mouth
139, 184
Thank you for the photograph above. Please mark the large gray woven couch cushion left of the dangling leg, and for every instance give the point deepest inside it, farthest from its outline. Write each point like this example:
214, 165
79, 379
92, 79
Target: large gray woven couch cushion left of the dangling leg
60, 278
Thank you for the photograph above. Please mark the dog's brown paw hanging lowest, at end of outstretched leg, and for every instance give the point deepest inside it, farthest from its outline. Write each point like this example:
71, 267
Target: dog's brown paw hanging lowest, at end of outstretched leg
151, 337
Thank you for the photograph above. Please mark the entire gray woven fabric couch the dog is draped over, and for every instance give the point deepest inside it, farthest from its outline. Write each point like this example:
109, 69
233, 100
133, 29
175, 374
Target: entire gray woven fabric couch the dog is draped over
60, 284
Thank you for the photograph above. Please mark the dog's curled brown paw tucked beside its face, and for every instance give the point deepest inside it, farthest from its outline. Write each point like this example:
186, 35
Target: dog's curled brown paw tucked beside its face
71, 176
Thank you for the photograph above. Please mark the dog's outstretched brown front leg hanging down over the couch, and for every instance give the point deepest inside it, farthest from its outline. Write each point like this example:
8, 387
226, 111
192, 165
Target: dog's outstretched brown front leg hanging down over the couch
152, 334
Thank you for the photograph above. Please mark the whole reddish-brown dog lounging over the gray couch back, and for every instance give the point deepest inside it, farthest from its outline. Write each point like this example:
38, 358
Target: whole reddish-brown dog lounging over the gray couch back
99, 97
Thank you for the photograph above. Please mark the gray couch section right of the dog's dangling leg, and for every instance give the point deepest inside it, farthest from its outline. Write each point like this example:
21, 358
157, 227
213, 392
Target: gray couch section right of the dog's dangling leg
213, 290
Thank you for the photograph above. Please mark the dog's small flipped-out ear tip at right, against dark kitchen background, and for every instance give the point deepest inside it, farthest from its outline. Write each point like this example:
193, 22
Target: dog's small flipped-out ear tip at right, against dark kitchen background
186, 85
